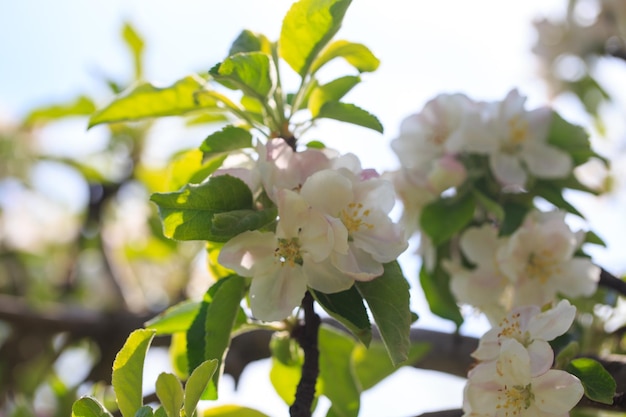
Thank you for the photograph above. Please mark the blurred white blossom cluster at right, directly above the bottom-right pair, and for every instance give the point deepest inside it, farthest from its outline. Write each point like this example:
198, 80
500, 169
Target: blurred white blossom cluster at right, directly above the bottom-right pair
530, 267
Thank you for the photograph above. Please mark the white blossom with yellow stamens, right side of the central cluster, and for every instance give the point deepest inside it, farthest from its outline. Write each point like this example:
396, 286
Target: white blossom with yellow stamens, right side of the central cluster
362, 206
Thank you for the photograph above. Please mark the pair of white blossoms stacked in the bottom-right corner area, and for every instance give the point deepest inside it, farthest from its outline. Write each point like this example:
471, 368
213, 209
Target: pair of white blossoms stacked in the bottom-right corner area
514, 376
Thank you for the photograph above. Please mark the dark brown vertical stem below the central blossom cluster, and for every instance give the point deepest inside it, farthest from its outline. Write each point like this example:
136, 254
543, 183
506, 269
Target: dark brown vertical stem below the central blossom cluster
306, 335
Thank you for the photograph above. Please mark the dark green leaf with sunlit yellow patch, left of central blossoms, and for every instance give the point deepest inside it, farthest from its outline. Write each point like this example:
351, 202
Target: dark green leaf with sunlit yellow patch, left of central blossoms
188, 214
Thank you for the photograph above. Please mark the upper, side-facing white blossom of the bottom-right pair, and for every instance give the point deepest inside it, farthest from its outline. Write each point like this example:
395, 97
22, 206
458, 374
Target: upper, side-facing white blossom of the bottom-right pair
533, 329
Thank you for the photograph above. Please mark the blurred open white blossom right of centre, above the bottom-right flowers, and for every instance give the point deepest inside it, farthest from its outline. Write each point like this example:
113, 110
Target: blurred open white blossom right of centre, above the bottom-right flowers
538, 260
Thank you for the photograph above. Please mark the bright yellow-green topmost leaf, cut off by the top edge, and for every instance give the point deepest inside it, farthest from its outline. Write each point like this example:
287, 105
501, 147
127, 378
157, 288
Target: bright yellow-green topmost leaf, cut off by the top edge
307, 28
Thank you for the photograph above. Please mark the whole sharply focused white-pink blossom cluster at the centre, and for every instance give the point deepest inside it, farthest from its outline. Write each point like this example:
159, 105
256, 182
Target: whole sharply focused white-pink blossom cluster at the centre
333, 227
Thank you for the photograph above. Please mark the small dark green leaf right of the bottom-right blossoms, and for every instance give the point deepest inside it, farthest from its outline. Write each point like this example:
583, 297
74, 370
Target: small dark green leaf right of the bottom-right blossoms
598, 383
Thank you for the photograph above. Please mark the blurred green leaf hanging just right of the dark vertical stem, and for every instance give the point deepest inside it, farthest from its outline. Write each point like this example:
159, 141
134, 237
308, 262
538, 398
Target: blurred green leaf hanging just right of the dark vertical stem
336, 372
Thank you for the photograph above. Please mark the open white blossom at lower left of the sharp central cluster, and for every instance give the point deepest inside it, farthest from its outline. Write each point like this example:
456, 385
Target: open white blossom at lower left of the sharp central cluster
284, 264
